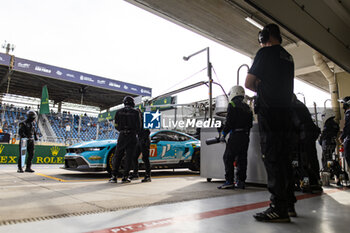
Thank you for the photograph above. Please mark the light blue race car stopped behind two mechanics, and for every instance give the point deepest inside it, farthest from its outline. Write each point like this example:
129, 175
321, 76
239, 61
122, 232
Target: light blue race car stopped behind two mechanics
169, 149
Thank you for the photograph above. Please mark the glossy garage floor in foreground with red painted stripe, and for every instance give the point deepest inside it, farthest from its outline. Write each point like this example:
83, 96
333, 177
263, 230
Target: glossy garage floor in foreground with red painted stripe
233, 213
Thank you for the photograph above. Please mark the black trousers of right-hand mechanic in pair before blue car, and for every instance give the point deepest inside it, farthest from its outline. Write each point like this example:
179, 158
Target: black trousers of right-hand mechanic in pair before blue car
142, 147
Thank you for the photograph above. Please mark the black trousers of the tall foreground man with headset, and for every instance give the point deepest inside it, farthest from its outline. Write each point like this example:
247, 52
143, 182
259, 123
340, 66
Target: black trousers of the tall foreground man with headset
275, 132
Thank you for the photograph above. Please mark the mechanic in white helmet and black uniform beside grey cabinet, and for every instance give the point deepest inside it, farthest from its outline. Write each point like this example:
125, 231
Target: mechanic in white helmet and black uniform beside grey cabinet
239, 120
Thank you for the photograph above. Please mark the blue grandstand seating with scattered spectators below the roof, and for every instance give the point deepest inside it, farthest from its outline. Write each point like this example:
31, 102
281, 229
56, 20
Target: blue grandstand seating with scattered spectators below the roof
58, 122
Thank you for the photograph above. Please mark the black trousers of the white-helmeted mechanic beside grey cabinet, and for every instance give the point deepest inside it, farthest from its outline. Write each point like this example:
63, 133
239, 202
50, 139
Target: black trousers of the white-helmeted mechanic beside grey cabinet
236, 150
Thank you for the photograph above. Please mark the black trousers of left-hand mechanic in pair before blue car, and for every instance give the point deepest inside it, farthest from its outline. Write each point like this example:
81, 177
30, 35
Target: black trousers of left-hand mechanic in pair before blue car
125, 147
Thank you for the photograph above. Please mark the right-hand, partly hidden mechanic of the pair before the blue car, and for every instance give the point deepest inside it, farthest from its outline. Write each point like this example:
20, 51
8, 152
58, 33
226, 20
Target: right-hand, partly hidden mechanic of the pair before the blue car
143, 146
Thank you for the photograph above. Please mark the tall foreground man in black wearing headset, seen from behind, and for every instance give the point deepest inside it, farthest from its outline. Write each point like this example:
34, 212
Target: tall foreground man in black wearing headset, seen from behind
272, 77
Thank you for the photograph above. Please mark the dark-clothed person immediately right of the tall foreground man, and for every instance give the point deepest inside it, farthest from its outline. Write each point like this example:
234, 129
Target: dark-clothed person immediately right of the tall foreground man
307, 133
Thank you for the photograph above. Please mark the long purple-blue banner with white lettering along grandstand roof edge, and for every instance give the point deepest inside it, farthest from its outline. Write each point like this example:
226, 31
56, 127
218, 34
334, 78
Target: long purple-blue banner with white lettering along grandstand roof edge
45, 70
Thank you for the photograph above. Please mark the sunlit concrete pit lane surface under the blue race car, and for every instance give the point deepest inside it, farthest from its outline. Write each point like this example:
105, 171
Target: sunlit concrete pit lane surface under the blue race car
52, 192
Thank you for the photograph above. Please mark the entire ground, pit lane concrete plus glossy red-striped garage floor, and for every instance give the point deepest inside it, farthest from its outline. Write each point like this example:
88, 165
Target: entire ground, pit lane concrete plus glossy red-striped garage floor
54, 200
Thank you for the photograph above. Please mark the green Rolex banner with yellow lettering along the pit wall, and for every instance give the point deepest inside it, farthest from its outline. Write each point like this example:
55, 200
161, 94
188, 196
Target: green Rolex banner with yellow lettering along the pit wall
42, 155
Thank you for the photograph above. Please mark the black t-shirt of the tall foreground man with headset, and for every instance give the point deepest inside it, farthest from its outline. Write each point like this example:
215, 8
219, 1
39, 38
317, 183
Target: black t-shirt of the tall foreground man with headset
274, 66
